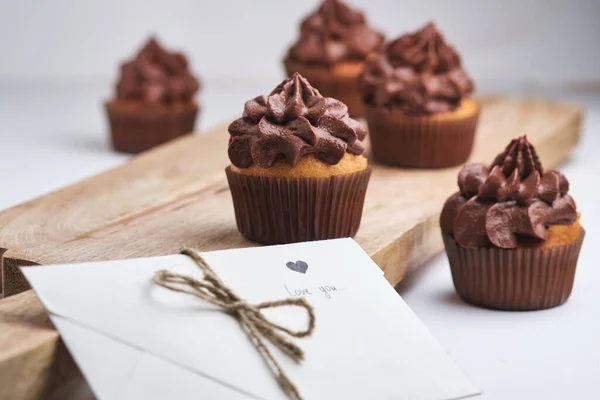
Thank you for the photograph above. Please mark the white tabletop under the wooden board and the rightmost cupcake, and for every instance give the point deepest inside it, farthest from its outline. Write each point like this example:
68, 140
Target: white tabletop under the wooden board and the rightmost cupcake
54, 133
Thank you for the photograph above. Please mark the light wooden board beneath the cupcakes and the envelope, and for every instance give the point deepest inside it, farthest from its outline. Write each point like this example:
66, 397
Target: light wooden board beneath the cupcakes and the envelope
177, 195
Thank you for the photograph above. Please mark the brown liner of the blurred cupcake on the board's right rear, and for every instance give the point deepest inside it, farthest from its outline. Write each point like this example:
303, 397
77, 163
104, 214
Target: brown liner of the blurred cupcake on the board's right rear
419, 142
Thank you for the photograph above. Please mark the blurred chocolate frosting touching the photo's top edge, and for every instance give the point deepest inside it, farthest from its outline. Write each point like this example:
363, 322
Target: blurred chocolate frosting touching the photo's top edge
333, 33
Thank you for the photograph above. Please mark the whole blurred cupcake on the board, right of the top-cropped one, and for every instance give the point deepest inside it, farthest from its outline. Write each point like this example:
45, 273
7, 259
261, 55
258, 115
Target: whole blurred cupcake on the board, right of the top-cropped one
417, 104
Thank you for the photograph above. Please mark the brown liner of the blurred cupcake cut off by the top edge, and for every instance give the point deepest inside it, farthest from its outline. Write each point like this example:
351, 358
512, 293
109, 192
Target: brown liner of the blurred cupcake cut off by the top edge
341, 87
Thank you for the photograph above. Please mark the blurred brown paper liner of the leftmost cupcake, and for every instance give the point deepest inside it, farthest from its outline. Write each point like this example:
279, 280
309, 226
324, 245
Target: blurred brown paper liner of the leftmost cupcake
133, 130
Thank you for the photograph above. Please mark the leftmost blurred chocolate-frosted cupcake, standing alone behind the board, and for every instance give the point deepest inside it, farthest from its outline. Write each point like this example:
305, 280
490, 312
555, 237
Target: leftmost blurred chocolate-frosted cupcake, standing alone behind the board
154, 100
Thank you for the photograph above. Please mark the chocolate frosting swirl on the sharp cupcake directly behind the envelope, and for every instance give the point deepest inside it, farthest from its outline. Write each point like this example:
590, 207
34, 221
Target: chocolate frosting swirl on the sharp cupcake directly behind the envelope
292, 121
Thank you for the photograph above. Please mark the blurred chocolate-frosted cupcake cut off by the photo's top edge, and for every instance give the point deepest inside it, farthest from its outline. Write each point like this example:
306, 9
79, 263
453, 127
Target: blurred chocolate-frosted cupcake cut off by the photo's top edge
331, 50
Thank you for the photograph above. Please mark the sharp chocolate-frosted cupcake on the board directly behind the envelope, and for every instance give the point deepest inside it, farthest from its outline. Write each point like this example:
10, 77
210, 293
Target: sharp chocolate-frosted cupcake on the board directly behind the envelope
297, 173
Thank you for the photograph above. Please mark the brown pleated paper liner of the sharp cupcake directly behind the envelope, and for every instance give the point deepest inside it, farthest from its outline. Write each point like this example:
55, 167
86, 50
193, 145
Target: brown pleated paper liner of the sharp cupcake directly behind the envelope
272, 210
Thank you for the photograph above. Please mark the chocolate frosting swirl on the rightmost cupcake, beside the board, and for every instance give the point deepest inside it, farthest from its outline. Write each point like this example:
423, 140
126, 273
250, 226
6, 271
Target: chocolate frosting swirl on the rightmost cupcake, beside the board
510, 202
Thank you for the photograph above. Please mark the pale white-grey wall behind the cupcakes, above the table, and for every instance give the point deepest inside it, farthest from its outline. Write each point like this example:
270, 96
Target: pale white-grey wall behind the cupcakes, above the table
541, 41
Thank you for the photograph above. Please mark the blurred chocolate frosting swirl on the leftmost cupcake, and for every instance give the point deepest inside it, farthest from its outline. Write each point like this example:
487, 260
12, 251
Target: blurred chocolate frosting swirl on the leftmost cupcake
156, 75
